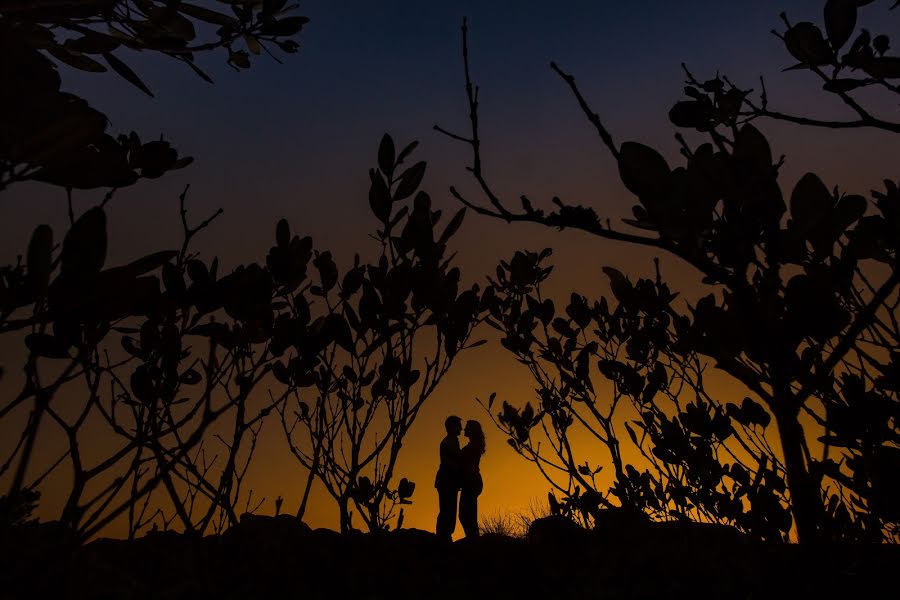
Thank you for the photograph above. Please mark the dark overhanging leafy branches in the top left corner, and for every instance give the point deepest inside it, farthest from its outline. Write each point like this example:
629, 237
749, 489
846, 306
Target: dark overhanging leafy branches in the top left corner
57, 137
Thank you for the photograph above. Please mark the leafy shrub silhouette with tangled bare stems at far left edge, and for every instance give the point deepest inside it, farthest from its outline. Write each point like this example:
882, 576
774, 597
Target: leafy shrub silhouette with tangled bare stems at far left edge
157, 429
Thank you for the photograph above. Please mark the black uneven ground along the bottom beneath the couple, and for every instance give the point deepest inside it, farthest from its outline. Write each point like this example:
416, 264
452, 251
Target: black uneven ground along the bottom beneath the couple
280, 557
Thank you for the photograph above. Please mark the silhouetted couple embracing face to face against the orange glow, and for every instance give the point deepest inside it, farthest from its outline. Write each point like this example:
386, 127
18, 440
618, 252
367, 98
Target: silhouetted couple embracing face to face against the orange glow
458, 480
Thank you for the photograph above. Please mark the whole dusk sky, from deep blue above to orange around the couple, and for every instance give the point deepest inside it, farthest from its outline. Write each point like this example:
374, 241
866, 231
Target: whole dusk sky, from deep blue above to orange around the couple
296, 140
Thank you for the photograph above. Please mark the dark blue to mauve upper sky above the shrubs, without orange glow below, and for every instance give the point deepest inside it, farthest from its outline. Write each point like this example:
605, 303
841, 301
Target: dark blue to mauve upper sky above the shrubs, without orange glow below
296, 139
